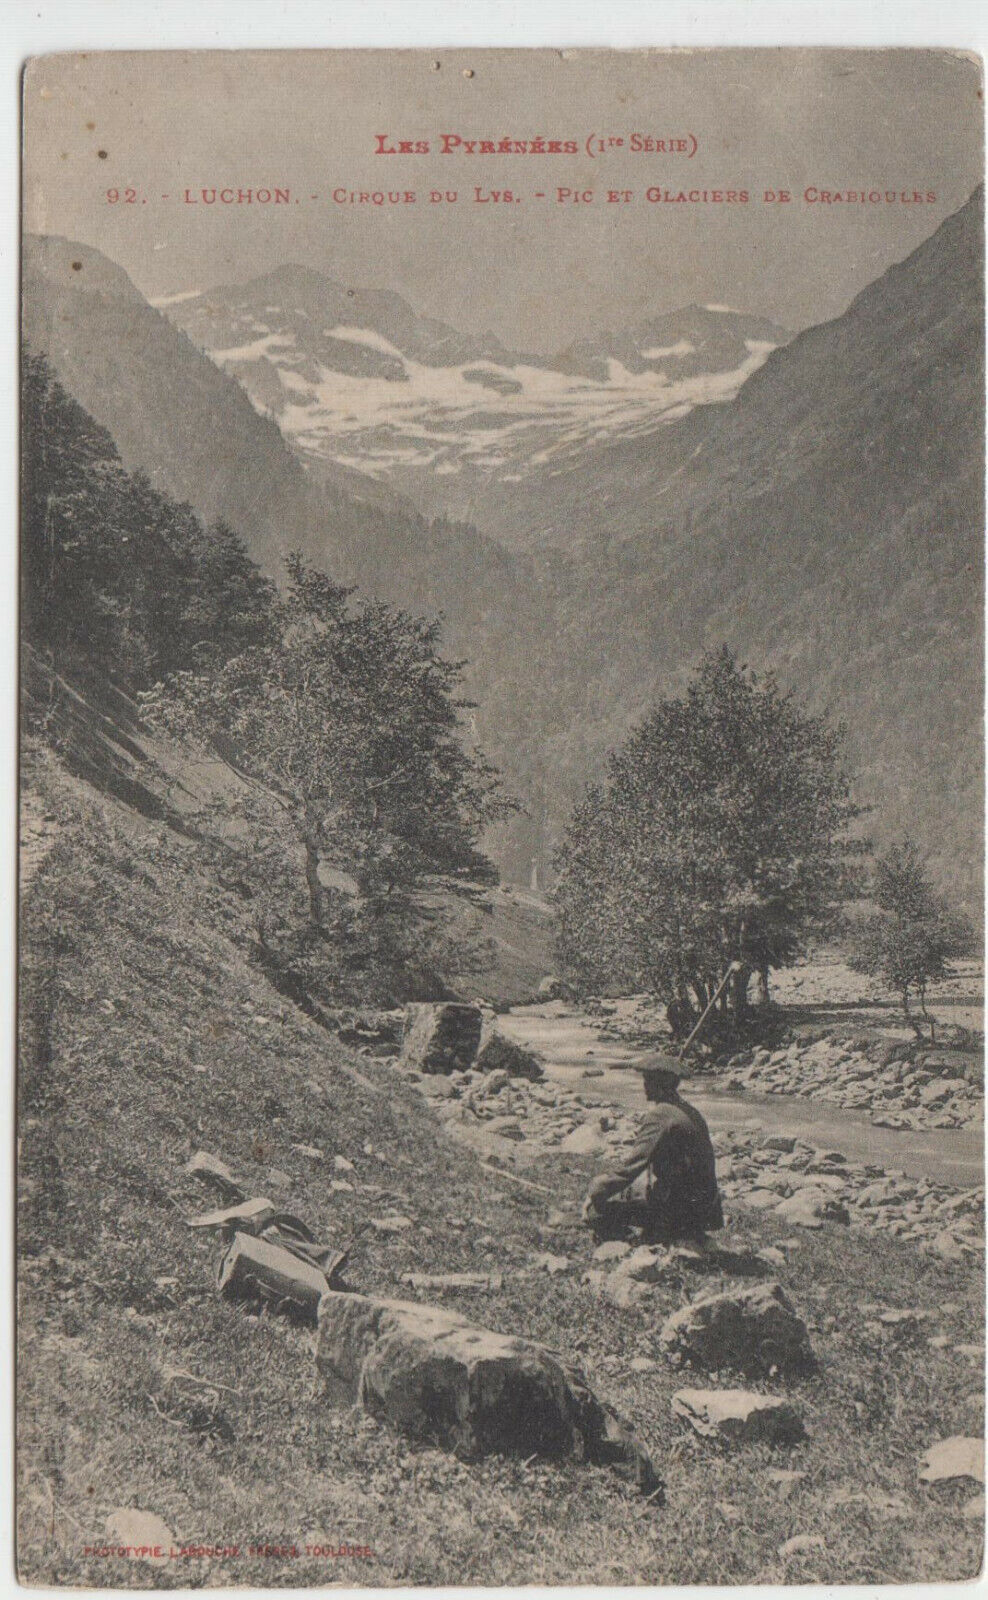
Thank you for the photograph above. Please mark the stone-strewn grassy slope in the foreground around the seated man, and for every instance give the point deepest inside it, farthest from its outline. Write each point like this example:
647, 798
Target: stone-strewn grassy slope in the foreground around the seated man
164, 1039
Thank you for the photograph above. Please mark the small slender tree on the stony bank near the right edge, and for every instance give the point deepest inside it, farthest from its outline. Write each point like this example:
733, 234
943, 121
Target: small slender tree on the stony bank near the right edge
912, 935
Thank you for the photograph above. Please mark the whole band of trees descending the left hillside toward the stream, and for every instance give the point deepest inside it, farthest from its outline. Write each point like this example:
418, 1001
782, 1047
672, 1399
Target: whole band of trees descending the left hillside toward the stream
348, 801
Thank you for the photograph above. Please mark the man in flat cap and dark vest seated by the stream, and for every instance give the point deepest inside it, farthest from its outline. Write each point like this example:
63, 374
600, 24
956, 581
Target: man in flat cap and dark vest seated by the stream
675, 1156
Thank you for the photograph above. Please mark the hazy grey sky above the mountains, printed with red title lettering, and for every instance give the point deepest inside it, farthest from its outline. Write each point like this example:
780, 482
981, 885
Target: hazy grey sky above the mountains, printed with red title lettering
535, 273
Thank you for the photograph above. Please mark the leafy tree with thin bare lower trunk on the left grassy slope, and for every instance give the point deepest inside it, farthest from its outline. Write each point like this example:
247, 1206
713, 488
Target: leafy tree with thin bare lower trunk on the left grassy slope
359, 809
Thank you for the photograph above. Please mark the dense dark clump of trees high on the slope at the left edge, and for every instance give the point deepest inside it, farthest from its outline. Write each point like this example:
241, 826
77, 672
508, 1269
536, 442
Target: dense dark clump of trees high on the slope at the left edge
118, 577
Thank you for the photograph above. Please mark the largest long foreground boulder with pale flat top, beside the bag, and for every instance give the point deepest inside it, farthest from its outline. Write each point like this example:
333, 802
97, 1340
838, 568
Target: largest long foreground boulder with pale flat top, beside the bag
437, 1377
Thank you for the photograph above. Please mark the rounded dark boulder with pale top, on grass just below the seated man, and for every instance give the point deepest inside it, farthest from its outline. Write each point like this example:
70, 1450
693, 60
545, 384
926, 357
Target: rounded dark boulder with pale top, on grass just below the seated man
754, 1329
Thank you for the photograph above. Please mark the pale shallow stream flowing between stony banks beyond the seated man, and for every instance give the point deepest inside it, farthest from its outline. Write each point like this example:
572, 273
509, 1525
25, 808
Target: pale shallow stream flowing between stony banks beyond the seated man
570, 1044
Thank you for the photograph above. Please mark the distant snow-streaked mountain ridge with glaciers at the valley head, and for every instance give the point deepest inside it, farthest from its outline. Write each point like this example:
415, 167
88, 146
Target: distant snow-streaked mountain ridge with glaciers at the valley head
357, 380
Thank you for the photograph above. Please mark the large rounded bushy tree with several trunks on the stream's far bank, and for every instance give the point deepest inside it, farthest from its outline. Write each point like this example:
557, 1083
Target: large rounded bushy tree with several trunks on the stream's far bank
720, 834
